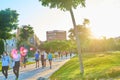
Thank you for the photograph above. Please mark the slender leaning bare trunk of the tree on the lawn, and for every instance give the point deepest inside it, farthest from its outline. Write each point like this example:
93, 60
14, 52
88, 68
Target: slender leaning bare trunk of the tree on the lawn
78, 42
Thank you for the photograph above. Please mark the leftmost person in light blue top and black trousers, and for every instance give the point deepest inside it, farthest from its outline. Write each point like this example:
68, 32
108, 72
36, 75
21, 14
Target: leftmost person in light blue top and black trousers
5, 64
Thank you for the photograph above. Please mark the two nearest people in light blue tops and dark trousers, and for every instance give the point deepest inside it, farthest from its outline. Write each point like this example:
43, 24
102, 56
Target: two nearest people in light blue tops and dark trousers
6, 63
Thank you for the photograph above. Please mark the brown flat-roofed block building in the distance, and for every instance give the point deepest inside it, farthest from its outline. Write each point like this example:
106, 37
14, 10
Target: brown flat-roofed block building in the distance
56, 35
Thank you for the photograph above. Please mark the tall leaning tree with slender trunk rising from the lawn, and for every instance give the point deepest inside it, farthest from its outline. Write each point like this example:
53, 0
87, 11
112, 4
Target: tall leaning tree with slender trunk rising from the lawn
67, 5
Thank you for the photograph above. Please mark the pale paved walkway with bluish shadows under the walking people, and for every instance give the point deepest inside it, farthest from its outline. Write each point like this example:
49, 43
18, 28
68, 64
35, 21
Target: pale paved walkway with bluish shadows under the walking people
32, 73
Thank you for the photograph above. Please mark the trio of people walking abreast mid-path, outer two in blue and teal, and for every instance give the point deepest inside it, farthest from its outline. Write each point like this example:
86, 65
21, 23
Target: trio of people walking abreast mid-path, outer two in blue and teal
43, 56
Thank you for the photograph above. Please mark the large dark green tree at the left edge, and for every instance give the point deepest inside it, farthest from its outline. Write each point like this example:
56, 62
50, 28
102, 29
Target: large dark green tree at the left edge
8, 22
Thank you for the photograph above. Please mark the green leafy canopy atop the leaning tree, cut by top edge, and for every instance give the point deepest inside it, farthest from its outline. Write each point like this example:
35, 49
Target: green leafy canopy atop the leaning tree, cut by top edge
63, 4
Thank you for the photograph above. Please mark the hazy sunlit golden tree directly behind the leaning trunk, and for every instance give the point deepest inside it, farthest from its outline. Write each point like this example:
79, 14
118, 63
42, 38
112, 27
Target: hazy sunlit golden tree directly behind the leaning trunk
84, 34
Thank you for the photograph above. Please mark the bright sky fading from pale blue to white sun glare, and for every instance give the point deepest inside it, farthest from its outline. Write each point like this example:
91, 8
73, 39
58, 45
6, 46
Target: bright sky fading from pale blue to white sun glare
103, 15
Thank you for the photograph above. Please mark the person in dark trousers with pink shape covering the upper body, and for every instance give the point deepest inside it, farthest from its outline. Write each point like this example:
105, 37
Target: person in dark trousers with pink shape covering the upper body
16, 58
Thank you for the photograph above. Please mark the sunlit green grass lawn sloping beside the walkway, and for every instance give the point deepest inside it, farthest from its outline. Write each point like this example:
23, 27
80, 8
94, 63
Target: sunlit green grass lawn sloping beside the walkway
104, 65
